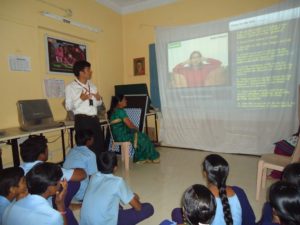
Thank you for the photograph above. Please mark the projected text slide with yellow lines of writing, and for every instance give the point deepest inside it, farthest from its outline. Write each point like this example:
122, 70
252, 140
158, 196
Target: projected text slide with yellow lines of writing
264, 63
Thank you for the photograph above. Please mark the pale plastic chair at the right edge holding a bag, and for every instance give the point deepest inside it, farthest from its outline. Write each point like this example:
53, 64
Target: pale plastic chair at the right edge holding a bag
274, 162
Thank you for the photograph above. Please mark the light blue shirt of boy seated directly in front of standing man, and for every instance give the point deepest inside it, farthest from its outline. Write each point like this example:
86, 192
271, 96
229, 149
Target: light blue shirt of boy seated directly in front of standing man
81, 157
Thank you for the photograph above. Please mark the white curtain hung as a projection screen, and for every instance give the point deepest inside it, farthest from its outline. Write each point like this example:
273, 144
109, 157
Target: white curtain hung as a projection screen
250, 100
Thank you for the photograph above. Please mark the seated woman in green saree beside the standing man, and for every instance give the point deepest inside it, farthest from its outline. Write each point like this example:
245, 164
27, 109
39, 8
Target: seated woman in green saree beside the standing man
124, 130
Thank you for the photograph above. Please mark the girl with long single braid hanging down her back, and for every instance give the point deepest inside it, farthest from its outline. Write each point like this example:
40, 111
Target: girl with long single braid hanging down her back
229, 210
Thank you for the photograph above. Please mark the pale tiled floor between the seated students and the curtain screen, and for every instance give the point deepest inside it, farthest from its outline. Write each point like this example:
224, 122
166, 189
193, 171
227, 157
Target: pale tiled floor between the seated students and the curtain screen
163, 184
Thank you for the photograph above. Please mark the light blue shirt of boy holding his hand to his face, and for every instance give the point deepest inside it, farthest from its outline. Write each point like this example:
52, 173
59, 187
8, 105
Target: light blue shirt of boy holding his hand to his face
33, 210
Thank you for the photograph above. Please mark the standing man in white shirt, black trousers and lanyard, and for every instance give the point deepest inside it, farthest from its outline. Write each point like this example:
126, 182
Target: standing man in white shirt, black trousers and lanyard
82, 97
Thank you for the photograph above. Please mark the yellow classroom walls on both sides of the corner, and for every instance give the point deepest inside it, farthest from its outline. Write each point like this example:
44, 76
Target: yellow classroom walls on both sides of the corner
111, 52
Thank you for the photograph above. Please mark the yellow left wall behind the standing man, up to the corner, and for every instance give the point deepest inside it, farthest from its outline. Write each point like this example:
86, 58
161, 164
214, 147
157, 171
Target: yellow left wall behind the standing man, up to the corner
23, 31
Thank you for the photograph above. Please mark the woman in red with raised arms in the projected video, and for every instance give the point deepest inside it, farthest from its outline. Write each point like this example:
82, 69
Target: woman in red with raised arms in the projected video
195, 70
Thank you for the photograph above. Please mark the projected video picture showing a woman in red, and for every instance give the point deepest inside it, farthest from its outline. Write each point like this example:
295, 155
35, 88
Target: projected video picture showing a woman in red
199, 62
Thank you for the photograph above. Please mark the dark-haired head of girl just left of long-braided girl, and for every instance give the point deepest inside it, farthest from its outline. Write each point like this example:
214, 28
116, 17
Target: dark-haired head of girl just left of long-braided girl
199, 206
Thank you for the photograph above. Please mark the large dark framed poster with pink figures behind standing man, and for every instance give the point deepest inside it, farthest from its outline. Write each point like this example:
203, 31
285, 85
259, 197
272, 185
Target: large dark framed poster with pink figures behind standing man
61, 55
